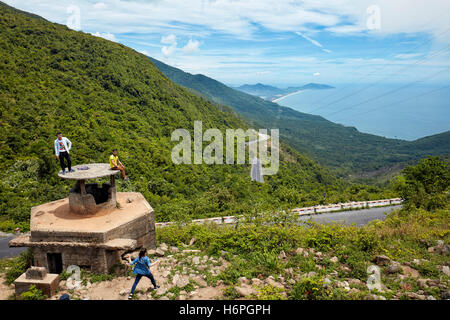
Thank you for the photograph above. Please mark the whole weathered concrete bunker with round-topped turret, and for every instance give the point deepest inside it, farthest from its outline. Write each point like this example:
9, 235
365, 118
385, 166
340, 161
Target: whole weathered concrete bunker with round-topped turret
88, 229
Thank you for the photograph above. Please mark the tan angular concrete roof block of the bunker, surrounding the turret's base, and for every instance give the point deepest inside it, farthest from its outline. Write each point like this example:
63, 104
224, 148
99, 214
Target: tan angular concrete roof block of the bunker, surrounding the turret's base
55, 222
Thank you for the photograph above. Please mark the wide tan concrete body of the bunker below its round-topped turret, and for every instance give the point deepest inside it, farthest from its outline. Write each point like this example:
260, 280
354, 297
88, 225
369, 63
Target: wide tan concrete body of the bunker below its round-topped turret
94, 242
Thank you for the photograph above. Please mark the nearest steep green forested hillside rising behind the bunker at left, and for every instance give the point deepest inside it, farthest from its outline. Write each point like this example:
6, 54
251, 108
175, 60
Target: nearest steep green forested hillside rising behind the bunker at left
103, 95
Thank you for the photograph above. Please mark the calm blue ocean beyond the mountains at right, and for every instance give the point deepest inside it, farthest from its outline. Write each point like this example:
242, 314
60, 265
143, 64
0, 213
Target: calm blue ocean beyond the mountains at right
409, 113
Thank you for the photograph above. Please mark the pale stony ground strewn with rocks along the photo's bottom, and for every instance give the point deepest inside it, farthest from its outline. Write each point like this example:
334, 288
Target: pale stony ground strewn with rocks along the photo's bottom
188, 274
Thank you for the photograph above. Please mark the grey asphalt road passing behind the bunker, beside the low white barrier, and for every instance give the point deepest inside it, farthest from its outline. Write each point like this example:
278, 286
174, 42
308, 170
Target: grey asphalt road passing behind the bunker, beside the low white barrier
359, 217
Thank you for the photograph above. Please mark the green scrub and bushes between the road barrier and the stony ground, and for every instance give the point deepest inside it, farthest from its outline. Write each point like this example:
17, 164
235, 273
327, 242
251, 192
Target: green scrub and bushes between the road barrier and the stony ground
253, 249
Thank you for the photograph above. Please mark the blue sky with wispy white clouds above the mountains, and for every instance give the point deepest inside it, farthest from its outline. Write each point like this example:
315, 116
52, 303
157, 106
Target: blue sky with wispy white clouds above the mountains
281, 43
